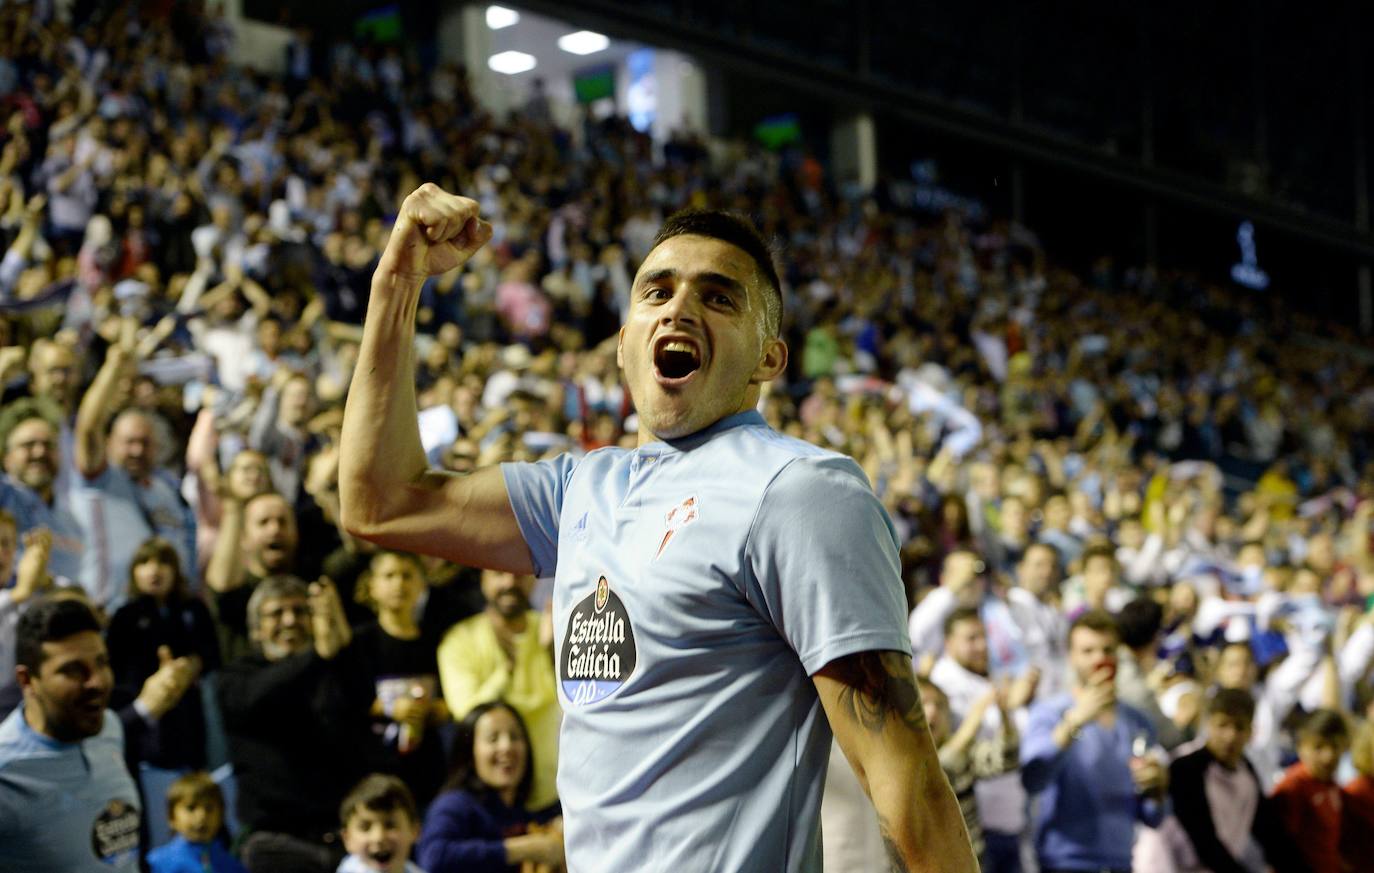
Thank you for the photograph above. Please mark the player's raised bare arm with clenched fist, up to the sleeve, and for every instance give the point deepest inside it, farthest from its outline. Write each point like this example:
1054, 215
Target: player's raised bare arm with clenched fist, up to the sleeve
388, 493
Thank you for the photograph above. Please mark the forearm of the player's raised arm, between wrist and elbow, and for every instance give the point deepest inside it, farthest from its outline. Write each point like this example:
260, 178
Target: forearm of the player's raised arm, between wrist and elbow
381, 413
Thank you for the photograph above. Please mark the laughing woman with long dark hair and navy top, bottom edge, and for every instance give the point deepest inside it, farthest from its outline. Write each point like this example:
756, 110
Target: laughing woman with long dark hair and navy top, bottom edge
480, 823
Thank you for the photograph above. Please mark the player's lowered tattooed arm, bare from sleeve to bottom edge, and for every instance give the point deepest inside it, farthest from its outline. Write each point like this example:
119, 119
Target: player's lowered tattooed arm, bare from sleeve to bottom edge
875, 710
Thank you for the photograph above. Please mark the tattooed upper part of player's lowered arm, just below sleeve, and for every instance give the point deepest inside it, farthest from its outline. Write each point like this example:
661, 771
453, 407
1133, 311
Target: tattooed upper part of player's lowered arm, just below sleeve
876, 713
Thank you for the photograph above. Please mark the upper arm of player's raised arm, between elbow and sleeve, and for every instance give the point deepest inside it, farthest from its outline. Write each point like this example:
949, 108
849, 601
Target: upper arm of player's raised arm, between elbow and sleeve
462, 519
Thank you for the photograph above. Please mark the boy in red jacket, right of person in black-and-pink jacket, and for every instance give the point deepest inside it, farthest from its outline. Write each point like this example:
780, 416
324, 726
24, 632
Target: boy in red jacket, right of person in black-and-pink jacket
1309, 799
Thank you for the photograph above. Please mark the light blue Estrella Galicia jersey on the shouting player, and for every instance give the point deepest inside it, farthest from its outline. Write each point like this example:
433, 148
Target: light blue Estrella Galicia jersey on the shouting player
699, 586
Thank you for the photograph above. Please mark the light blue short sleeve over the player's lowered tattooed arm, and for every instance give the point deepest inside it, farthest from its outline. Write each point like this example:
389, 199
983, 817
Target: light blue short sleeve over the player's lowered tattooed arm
824, 564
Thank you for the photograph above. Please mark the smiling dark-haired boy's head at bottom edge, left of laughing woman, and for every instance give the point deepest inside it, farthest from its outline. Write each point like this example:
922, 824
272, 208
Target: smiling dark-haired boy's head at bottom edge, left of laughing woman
380, 827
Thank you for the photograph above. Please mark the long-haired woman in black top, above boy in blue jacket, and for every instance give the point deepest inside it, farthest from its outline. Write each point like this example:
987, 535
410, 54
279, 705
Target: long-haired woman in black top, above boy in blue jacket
163, 622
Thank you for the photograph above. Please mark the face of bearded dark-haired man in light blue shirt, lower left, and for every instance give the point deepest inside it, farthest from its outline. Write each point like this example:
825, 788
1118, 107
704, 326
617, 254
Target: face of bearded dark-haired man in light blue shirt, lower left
72, 687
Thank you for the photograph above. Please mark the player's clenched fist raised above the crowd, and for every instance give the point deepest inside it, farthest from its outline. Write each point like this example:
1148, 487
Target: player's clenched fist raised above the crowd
435, 233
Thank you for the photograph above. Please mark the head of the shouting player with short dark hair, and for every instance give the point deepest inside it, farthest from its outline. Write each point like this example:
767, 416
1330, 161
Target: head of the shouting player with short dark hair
695, 343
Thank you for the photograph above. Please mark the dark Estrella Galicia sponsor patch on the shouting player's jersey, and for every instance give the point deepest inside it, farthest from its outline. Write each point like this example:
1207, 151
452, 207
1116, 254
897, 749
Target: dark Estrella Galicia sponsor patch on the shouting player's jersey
598, 650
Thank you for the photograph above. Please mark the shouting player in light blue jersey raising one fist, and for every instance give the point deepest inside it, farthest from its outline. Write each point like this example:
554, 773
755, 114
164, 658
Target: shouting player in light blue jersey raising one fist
751, 581
